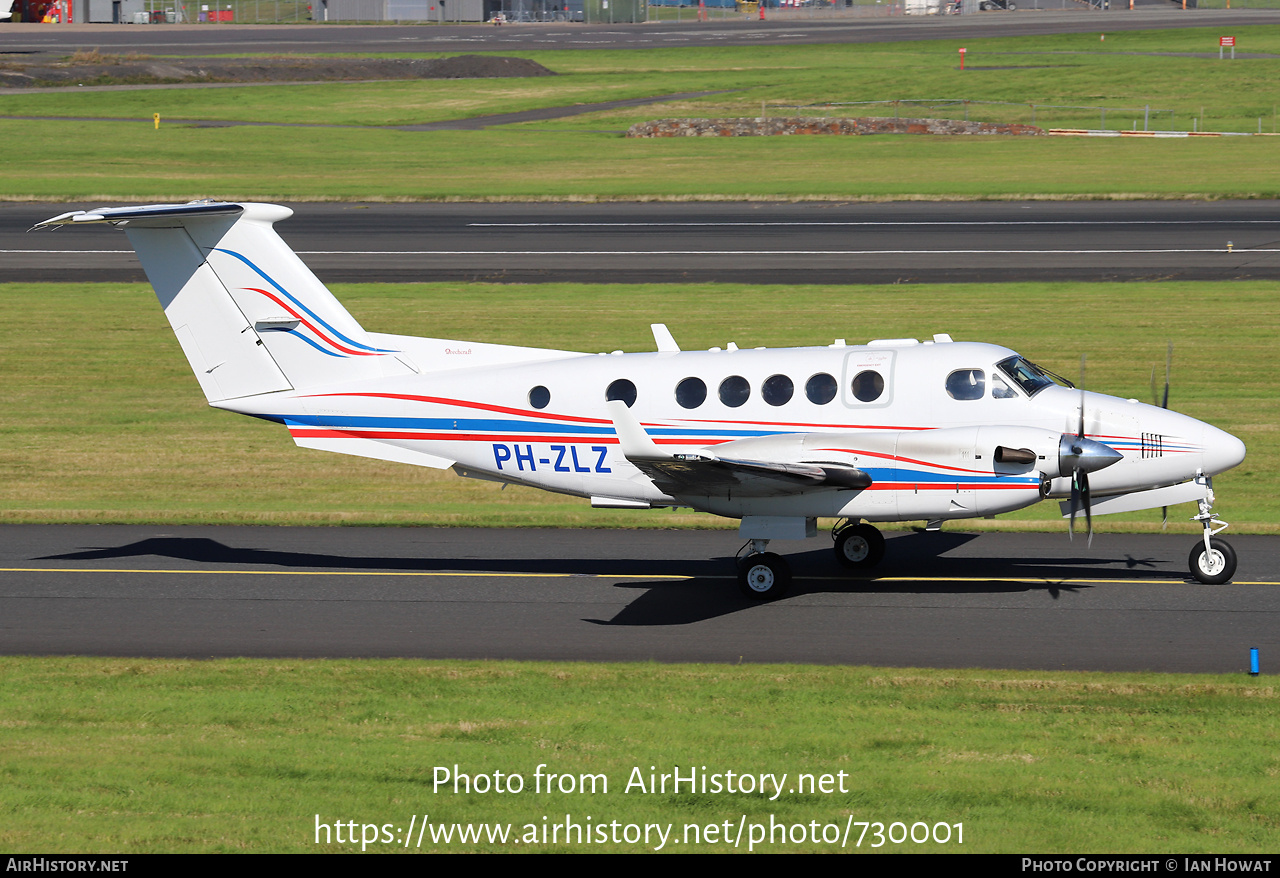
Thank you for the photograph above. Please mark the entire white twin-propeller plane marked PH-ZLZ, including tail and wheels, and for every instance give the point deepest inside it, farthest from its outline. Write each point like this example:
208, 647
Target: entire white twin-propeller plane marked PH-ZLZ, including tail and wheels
892, 431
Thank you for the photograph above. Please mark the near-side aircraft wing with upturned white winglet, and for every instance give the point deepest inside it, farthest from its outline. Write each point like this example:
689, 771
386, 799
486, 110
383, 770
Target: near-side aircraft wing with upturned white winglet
707, 474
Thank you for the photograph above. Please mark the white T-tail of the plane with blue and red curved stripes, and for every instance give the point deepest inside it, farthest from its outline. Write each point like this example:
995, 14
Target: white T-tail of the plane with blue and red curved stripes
250, 315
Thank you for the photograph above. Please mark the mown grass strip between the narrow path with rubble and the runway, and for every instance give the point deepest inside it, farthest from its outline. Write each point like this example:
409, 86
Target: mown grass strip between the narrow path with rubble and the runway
67, 163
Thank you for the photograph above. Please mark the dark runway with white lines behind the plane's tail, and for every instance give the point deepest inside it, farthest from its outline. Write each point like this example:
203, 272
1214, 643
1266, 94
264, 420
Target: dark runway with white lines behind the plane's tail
719, 243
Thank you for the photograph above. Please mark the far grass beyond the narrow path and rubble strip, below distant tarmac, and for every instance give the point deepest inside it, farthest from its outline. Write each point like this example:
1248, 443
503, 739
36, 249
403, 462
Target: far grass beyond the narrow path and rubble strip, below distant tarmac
1126, 70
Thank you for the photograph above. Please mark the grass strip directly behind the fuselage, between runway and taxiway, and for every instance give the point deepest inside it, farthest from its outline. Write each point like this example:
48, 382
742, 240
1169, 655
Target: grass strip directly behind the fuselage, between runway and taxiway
106, 423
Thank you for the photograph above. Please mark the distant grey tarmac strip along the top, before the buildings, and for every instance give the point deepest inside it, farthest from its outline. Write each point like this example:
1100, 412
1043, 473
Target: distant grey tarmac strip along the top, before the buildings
783, 29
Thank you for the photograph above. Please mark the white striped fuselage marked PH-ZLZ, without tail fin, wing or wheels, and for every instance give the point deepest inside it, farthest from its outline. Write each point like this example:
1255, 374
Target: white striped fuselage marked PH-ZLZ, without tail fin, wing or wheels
927, 432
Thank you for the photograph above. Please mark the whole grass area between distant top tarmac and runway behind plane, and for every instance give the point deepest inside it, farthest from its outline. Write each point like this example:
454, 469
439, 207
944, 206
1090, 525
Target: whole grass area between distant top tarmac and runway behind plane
586, 158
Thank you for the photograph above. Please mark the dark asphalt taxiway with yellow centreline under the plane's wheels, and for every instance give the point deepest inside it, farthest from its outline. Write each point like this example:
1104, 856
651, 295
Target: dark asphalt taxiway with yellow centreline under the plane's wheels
1035, 602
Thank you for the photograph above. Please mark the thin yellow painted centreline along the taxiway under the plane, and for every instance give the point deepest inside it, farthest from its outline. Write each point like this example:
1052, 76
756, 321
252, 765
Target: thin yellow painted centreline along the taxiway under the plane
604, 577
